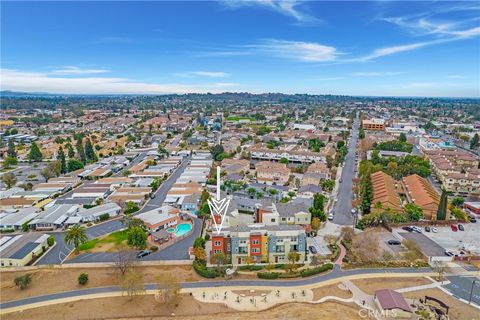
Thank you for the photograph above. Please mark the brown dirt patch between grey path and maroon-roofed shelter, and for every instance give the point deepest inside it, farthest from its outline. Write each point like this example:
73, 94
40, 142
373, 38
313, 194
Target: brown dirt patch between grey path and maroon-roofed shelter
370, 285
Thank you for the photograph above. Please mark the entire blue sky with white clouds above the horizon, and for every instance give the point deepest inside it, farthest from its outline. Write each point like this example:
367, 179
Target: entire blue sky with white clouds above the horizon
354, 48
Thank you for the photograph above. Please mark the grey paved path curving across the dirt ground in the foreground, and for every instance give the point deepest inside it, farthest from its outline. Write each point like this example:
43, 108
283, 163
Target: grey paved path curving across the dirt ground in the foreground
337, 273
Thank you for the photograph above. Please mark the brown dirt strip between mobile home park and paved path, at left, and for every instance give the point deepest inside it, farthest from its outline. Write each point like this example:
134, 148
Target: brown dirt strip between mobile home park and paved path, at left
47, 281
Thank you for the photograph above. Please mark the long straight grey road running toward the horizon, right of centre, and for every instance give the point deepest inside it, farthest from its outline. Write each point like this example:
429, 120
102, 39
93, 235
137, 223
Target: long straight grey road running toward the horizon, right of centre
343, 206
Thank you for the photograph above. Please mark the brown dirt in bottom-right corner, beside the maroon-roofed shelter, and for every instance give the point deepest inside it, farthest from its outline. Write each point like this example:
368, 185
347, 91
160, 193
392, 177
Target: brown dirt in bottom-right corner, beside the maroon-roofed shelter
458, 309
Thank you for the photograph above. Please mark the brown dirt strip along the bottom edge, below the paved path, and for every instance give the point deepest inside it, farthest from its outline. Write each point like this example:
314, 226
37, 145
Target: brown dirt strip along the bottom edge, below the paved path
145, 307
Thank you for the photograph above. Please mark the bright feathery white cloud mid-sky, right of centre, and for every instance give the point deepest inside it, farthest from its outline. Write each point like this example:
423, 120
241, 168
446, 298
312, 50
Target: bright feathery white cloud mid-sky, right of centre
297, 50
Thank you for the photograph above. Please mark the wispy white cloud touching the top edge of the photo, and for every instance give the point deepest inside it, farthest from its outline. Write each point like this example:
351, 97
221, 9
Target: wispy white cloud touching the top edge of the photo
288, 8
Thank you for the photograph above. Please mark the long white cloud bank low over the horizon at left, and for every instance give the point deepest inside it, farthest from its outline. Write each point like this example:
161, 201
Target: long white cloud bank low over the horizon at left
42, 82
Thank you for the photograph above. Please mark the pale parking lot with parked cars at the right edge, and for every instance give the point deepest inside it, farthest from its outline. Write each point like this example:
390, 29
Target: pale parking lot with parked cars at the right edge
455, 241
